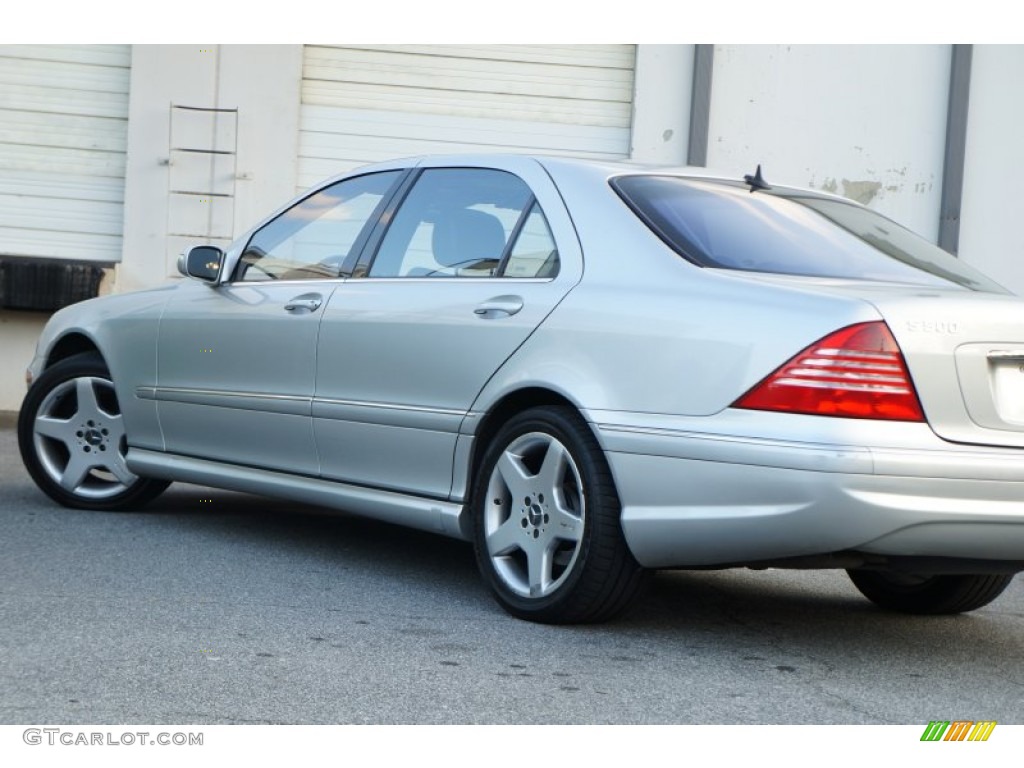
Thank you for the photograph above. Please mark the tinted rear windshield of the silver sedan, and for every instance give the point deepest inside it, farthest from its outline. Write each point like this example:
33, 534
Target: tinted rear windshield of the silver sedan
787, 233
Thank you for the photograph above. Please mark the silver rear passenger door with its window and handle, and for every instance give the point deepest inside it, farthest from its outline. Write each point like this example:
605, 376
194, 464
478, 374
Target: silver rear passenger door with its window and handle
473, 262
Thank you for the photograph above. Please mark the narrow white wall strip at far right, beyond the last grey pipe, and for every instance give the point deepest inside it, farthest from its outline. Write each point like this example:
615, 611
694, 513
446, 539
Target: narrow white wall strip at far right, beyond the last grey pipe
992, 236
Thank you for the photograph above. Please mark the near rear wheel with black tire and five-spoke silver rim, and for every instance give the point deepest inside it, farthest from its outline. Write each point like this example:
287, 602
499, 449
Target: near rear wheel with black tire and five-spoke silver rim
549, 542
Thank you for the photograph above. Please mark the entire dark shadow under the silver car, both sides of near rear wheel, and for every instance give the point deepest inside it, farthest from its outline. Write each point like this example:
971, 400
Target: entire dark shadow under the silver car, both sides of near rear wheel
785, 604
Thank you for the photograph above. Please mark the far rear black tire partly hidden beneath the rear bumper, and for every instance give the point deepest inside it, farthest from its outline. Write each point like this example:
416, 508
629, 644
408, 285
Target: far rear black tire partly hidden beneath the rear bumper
929, 595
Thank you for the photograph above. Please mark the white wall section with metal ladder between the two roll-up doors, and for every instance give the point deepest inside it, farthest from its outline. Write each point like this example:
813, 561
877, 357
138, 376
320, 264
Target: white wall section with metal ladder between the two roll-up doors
263, 82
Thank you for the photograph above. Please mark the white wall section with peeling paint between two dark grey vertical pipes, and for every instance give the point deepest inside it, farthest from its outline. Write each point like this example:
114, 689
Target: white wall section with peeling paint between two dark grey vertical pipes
864, 121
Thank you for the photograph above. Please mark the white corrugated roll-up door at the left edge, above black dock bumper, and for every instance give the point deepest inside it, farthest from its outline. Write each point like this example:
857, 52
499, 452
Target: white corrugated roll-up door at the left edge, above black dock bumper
64, 127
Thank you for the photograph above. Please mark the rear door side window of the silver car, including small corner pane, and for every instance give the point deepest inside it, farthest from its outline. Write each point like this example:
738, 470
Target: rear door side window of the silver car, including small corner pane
460, 223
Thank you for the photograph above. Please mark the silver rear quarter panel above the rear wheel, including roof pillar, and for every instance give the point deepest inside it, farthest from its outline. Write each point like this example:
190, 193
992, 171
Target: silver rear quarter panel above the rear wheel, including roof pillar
648, 332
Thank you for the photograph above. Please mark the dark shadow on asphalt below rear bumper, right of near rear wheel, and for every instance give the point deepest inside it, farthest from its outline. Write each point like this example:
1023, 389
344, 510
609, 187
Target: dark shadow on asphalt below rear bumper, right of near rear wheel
817, 615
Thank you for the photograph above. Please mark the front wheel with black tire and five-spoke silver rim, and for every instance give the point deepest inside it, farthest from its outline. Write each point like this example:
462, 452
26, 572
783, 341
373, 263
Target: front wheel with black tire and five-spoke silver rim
71, 436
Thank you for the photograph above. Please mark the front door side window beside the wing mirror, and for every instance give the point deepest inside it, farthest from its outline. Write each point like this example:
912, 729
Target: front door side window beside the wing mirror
314, 240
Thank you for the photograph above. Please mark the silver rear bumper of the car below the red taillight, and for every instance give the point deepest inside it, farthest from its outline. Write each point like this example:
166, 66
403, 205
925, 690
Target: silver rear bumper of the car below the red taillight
696, 500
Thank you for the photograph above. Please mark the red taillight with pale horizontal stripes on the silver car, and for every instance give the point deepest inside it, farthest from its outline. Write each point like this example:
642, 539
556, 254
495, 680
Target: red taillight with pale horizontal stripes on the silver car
858, 372
